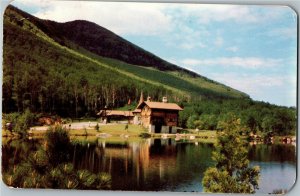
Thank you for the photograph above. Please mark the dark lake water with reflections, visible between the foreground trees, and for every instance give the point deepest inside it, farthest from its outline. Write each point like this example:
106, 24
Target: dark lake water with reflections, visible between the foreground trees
166, 164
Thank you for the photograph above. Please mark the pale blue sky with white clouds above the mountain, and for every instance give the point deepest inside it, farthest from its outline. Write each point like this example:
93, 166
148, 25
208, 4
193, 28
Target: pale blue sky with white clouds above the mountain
250, 48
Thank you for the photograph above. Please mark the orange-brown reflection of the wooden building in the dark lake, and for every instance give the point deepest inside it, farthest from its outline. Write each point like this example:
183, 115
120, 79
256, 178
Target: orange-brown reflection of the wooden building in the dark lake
133, 164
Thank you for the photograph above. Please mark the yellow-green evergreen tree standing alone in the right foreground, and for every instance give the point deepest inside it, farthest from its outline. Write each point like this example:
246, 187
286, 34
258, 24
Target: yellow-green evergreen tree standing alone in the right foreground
231, 173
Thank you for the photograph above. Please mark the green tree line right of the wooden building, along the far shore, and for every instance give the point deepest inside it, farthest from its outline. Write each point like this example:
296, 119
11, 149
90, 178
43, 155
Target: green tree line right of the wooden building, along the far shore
255, 116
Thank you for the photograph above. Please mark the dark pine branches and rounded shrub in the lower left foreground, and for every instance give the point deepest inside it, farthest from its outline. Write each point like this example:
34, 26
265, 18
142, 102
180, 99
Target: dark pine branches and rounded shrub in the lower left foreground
47, 165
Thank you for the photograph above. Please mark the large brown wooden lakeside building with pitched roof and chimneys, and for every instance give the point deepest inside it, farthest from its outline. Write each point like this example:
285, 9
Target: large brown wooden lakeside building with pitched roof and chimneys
159, 117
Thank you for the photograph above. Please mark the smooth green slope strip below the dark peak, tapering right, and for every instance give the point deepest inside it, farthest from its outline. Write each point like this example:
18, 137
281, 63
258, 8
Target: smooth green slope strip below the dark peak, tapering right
198, 86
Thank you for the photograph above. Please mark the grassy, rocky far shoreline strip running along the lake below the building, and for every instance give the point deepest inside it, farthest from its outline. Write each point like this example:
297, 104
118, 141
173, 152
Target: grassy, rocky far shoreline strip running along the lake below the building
134, 132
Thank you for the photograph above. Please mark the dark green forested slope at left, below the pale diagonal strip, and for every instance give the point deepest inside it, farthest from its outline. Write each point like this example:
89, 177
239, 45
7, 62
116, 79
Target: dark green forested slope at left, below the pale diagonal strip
48, 77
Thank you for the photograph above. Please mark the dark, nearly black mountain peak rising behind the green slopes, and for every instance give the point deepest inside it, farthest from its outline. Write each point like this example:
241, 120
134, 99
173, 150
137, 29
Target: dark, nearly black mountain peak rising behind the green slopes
100, 41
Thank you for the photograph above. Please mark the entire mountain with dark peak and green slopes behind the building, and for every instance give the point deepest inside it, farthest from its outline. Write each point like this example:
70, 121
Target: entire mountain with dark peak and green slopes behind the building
77, 67
